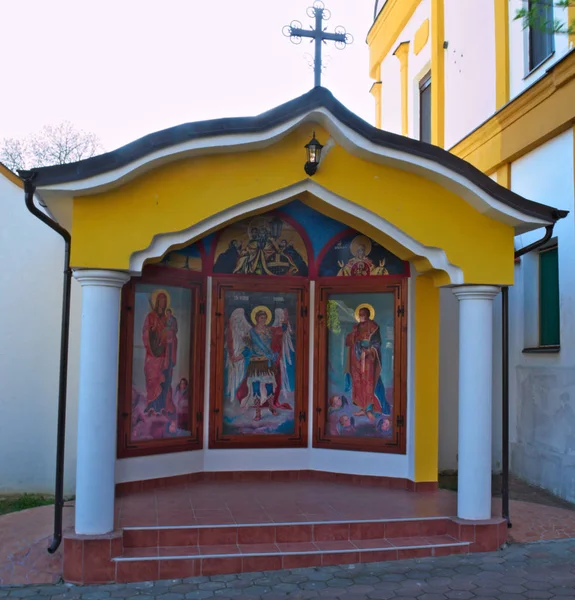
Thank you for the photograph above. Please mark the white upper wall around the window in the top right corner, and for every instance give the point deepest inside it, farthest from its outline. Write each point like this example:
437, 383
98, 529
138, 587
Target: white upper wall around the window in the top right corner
519, 74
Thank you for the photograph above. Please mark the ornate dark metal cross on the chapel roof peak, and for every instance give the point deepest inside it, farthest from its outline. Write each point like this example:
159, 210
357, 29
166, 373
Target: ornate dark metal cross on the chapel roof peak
296, 32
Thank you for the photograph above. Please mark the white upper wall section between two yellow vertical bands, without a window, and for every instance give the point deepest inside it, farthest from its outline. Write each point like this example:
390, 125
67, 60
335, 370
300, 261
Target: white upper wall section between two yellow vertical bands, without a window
469, 66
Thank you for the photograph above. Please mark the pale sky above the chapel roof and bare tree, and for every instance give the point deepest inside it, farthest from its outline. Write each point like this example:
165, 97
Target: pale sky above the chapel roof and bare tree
125, 68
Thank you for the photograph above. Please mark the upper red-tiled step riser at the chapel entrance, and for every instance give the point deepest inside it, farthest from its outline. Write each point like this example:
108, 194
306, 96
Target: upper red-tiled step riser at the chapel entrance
284, 533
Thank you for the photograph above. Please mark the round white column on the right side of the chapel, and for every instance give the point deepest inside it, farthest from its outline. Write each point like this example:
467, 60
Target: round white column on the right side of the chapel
475, 396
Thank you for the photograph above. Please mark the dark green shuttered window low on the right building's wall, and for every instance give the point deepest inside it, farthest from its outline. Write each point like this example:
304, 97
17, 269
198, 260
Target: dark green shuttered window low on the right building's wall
549, 297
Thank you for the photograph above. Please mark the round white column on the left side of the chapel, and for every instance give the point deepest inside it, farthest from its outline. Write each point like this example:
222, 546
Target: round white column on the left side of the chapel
97, 399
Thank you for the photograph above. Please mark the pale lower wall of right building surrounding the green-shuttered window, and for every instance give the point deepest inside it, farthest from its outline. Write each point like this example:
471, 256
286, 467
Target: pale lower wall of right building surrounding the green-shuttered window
542, 386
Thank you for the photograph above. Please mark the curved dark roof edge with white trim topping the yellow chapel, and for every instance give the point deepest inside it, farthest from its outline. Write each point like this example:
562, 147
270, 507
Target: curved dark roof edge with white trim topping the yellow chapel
318, 106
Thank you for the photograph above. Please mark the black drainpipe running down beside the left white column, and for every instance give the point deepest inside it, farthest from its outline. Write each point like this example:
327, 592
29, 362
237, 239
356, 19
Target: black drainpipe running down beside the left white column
29, 190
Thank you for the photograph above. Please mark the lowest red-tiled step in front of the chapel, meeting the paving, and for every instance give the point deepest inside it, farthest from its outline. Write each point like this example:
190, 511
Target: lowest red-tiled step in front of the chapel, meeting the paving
171, 562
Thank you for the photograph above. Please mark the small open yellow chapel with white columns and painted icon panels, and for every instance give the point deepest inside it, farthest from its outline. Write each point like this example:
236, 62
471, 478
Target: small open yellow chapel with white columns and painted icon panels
259, 357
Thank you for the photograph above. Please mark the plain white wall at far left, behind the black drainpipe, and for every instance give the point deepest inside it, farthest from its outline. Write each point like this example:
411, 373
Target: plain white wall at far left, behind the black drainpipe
31, 305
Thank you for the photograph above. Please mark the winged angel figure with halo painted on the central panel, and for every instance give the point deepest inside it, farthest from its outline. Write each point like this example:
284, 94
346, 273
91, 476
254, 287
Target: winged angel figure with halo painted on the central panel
257, 359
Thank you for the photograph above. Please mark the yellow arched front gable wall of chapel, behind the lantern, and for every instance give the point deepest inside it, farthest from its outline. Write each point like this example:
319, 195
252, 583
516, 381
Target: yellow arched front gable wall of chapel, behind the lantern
109, 227
